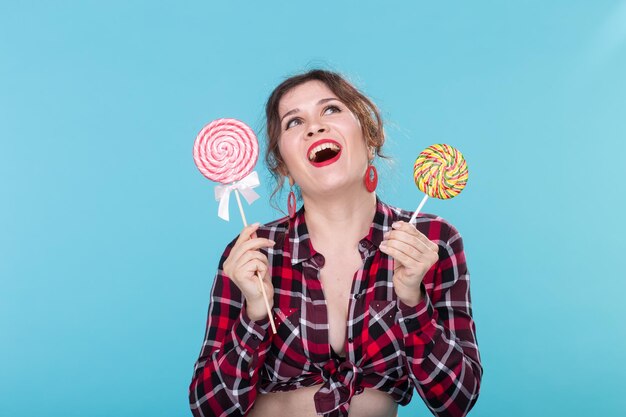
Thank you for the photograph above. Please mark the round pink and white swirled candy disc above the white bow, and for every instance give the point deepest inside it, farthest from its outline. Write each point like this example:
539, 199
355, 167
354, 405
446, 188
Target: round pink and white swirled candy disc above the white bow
226, 150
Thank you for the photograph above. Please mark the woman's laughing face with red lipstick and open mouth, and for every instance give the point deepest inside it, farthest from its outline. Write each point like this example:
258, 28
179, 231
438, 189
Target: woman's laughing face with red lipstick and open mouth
321, 140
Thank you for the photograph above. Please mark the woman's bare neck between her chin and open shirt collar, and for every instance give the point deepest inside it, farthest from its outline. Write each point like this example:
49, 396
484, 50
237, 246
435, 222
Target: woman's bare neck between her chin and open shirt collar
348, 217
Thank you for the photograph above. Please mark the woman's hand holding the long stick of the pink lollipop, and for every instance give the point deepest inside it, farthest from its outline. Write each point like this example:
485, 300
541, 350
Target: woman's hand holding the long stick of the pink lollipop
242, 265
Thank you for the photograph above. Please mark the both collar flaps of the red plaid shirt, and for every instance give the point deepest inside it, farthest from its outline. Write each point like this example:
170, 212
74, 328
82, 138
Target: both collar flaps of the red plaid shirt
300, 246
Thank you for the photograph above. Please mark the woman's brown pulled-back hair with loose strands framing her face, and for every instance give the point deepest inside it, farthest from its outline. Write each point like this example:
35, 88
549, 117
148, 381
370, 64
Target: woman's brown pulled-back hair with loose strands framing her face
362, 107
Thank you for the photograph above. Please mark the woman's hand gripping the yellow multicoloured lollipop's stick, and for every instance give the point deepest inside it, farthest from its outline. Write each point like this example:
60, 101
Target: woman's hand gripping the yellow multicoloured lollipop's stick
414, 255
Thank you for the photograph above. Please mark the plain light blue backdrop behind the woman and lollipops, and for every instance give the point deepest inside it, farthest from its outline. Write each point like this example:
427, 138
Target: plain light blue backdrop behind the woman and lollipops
109, 236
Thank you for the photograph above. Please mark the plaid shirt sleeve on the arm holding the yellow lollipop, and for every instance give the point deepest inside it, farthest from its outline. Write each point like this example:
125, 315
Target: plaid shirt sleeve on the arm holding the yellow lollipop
440, 336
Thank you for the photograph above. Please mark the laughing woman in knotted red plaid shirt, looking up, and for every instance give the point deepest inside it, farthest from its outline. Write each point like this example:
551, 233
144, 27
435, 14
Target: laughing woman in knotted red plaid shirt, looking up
367, 306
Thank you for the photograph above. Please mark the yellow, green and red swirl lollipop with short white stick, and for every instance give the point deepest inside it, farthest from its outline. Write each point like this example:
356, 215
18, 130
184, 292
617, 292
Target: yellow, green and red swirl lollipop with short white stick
440, 171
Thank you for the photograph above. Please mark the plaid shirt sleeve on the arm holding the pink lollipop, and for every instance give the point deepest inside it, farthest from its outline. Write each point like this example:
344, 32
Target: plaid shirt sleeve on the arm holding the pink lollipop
227, 371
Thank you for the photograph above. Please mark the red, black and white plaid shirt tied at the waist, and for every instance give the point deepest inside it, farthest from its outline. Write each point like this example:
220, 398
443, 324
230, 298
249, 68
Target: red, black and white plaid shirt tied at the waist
390, 346
